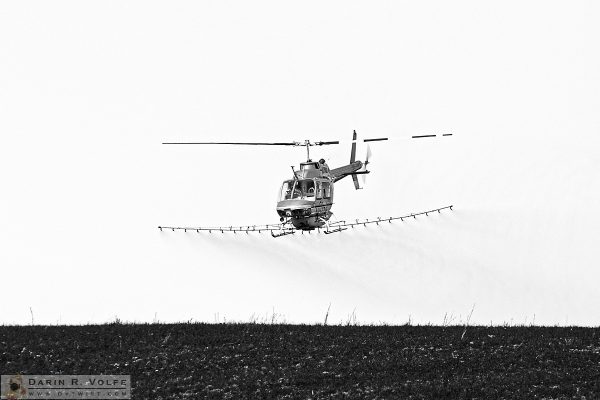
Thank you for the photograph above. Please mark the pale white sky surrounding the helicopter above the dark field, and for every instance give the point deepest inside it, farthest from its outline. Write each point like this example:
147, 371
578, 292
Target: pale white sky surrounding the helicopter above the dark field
89, 90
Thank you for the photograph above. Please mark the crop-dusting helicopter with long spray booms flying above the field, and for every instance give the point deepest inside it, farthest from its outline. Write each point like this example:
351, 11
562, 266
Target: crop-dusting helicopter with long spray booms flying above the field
305, 200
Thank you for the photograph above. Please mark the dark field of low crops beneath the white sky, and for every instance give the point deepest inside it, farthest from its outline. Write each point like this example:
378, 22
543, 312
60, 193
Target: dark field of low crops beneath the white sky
296, 361
